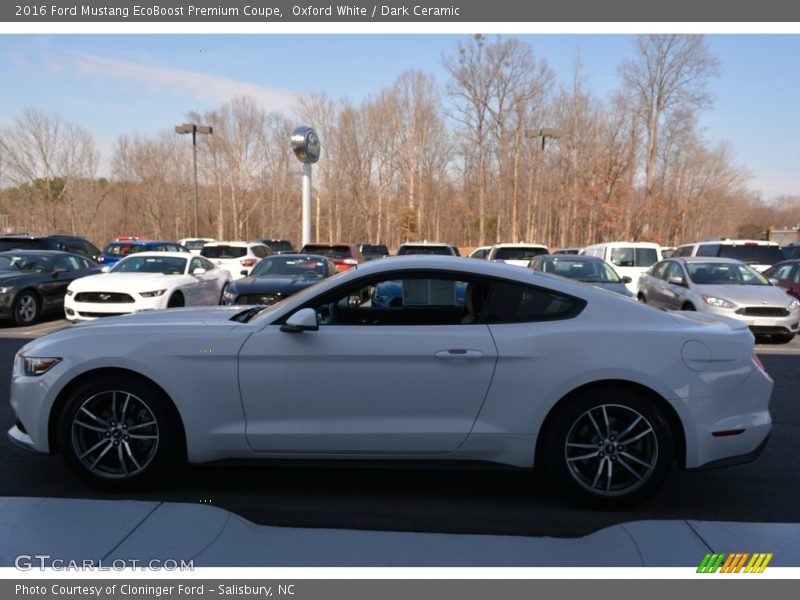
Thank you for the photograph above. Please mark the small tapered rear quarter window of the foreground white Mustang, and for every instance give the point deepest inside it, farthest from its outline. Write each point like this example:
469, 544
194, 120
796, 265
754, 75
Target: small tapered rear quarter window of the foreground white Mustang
514, 303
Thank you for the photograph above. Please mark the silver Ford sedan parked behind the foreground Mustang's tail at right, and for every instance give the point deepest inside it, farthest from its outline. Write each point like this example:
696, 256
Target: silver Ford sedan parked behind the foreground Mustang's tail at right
722, 286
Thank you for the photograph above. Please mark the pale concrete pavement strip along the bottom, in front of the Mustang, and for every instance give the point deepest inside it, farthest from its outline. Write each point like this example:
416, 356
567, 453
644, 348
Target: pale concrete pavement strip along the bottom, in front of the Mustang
212, 537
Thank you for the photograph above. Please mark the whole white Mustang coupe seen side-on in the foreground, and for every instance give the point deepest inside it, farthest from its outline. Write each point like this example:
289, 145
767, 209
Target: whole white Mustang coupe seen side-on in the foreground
420, 357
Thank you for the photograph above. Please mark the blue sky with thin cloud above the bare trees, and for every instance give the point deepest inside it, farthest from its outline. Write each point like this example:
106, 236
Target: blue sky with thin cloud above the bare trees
113, 84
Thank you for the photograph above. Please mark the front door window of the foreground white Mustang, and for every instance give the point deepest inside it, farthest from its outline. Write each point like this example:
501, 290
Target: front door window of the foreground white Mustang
412, 300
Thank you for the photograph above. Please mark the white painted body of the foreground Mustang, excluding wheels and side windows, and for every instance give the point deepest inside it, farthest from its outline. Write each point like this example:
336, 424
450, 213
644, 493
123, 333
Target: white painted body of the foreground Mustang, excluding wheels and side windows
481, 391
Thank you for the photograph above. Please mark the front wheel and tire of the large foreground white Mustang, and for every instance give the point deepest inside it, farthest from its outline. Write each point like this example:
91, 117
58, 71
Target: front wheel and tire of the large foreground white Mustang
94, 433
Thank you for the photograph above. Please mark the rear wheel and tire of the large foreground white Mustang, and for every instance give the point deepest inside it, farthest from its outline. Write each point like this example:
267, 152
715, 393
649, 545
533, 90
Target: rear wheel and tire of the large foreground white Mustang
611, 447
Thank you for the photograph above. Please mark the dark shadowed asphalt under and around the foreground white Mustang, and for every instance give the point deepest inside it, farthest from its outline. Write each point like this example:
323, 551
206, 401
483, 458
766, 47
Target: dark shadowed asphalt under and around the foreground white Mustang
453, 501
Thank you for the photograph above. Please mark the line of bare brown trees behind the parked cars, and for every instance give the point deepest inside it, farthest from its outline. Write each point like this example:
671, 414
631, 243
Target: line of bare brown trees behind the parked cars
500, 151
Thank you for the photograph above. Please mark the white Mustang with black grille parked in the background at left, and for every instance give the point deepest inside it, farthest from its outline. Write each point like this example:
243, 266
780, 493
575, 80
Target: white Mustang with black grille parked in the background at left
146, 281
